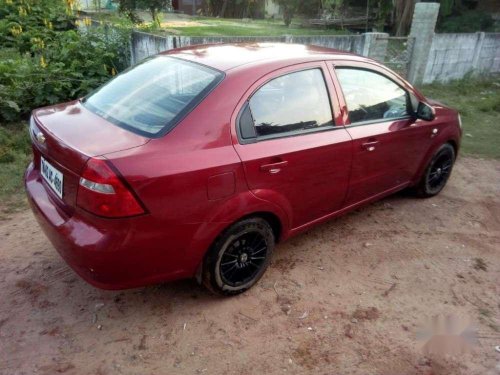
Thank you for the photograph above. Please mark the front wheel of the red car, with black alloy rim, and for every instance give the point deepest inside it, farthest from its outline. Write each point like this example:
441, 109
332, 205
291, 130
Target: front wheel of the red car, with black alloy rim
437, 172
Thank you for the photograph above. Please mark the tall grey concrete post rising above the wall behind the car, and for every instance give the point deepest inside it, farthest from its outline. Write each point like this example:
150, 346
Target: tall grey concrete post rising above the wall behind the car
422, 29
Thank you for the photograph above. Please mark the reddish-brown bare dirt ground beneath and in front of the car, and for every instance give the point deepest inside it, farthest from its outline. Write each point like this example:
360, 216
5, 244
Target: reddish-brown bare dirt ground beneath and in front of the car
353, 296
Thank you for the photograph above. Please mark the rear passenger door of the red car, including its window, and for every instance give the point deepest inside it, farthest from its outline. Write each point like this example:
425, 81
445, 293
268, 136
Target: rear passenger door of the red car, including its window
293, 152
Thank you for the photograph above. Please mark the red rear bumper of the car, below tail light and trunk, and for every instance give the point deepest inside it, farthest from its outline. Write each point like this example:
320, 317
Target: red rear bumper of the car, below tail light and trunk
110, 253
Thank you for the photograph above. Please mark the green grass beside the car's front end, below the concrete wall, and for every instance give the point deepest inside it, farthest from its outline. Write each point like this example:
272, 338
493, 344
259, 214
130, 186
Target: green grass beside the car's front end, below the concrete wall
478, 101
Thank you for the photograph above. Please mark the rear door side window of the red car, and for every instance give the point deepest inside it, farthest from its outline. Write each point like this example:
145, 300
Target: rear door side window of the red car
291, 104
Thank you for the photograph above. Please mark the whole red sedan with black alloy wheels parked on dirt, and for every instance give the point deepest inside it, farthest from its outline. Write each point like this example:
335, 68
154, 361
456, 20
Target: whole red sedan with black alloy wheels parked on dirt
195, 162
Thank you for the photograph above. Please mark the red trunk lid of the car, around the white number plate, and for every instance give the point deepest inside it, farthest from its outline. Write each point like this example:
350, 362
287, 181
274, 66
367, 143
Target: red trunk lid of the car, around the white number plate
66, 136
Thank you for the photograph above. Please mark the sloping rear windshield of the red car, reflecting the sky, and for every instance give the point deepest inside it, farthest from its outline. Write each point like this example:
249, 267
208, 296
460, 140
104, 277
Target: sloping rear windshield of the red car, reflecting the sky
150, 98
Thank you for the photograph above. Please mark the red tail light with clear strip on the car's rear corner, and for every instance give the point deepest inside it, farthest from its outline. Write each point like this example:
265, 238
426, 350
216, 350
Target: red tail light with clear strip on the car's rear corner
102, 192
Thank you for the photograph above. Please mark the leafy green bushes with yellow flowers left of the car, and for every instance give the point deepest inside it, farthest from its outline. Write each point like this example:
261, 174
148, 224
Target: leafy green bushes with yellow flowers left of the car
48, 59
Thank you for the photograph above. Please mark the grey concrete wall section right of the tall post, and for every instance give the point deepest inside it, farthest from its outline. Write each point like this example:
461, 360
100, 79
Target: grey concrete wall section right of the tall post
452, 56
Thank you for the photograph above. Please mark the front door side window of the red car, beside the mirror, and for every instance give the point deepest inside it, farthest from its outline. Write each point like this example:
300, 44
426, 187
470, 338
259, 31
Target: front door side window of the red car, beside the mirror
370, 96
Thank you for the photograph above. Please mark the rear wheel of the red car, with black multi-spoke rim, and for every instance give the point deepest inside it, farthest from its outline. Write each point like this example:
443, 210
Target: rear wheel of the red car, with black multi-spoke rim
239, 257
